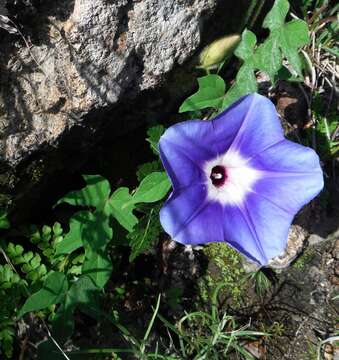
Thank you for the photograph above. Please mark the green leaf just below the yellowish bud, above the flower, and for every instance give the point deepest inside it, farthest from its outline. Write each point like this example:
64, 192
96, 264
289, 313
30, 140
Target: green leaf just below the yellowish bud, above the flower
210, 94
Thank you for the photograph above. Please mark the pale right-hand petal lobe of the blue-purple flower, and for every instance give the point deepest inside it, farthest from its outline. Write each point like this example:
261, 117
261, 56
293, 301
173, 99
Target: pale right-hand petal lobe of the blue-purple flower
291, 175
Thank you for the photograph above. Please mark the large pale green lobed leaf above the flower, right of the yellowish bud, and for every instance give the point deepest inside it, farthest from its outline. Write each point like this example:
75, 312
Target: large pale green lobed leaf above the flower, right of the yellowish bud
285, 39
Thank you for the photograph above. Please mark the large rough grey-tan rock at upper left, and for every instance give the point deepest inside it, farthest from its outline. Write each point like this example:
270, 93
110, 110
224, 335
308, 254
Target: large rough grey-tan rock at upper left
101, 53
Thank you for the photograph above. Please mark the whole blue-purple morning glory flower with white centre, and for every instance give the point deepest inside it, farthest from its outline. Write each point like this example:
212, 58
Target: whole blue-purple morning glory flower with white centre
236, 179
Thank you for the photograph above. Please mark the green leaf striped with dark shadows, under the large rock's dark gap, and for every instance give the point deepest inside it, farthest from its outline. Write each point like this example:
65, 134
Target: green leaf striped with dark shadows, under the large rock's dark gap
94, 194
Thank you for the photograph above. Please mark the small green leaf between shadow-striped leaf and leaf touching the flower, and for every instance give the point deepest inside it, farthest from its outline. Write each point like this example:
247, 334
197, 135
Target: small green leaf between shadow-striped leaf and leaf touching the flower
122, 206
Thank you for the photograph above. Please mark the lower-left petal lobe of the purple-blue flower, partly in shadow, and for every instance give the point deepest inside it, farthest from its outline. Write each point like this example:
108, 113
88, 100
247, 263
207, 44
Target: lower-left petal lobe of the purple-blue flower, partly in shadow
189, 219
